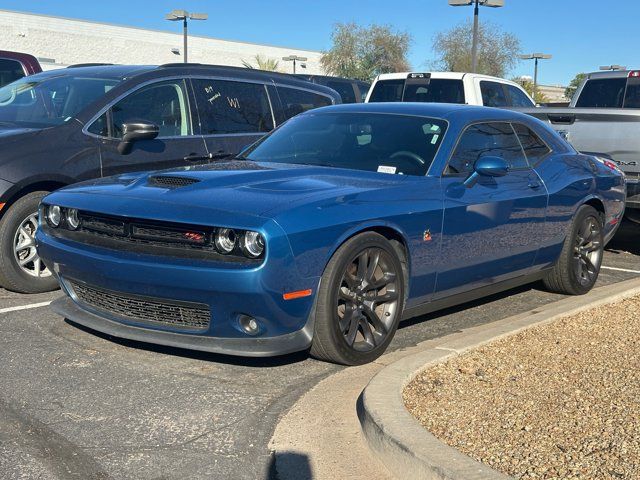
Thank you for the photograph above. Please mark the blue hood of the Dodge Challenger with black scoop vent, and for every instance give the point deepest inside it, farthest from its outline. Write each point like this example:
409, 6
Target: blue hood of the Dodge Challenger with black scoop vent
244, 187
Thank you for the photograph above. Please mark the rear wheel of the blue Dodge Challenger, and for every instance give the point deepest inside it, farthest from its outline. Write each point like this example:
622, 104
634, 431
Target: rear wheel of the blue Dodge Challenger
577, 269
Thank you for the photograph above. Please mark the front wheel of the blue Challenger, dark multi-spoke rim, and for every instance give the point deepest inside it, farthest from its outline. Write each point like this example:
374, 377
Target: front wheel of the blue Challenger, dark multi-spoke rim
360, 301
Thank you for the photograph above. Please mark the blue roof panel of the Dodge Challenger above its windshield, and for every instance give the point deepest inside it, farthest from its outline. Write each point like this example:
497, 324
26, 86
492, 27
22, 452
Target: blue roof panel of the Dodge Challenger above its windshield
435, 110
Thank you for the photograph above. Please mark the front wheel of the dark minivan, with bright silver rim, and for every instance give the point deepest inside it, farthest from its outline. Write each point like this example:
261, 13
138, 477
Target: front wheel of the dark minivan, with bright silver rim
21, 269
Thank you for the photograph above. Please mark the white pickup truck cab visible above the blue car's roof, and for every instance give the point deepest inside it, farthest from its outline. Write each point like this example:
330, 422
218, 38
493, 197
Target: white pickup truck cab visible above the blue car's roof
449, 87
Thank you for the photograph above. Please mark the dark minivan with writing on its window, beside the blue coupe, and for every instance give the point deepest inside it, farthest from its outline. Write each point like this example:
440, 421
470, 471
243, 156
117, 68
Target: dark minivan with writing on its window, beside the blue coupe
63, 126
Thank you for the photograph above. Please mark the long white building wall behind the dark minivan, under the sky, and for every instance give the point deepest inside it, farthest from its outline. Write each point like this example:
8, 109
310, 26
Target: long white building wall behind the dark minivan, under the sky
69, 41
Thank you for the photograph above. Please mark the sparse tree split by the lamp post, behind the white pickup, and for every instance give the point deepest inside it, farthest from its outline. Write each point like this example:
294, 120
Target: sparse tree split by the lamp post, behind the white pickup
497, 50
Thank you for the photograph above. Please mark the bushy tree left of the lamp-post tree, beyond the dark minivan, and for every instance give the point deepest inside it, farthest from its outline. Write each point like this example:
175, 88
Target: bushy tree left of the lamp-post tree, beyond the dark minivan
365, 52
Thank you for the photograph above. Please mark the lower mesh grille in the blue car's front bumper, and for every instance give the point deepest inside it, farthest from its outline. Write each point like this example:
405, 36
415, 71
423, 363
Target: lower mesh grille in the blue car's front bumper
144, 309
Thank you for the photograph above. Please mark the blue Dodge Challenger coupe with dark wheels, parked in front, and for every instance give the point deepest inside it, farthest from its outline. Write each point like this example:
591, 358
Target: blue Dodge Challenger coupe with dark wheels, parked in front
330, 230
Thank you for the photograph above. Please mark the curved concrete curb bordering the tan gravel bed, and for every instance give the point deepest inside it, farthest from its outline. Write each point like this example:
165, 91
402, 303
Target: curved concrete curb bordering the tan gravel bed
401, 442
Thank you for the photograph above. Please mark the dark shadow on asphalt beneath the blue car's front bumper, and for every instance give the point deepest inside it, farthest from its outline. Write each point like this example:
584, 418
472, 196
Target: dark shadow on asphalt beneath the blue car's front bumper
278, 361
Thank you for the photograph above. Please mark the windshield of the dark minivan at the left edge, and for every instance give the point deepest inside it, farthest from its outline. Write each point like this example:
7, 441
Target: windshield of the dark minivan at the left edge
50, 101
